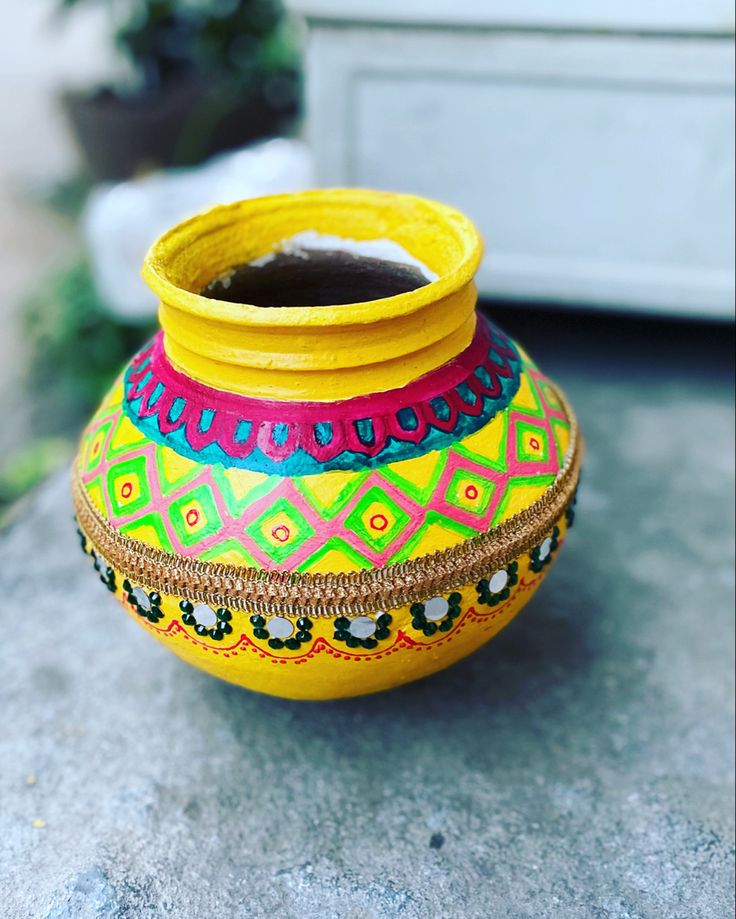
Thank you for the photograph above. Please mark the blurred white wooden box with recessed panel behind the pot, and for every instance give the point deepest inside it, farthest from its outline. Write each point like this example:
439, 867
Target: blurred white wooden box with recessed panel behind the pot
592, 143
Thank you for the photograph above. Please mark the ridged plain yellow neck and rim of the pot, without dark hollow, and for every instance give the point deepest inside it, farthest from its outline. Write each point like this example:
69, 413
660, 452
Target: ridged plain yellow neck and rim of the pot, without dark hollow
316, 353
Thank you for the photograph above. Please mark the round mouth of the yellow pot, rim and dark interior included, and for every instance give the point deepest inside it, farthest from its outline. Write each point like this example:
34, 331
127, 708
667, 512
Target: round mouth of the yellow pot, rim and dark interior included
337, 256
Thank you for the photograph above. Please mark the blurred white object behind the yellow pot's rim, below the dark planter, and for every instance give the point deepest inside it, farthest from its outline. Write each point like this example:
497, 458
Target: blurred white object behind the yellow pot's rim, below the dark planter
121, 221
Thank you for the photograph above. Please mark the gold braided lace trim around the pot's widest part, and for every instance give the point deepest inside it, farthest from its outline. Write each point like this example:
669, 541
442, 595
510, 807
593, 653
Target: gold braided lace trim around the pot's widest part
286, 593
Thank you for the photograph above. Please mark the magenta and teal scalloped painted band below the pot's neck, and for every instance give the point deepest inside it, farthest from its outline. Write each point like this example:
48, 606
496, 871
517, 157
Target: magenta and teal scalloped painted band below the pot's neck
294, 439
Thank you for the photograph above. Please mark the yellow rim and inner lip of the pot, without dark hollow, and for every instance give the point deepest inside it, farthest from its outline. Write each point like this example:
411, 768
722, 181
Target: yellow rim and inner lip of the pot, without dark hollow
449, 241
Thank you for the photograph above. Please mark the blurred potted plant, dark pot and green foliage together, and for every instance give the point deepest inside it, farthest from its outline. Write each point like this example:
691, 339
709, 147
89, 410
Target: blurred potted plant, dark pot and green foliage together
205, 75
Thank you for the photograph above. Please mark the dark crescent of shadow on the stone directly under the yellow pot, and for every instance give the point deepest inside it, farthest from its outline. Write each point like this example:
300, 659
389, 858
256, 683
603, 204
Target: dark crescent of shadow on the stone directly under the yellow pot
550, 644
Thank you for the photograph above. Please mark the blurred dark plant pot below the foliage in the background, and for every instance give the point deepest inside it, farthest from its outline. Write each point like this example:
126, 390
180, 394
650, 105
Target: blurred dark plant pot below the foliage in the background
181, 124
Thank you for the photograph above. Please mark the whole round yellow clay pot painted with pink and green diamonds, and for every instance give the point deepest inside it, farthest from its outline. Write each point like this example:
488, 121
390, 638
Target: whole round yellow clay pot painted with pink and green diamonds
318, 501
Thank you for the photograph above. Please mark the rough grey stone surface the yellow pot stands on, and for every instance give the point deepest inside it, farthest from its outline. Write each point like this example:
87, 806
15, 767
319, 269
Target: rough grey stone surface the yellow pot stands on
580, 765
